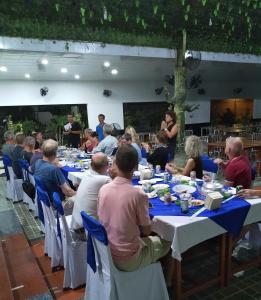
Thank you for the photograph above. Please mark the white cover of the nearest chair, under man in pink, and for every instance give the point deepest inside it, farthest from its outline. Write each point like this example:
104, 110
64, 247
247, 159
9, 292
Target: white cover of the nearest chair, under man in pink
108, 283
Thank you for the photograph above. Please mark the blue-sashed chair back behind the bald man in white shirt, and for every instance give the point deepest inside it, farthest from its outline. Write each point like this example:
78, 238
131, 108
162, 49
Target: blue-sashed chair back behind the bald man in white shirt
57, 202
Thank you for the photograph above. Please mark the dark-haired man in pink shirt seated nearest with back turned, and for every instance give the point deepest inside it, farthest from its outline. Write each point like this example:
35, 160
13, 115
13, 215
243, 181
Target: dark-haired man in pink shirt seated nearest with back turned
123, 211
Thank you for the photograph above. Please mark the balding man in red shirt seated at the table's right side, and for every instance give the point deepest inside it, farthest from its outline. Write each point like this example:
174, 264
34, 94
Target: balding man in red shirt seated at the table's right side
237, 170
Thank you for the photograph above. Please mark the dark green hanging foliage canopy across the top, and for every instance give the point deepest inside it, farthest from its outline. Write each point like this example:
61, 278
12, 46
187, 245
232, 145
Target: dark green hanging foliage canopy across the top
234, 26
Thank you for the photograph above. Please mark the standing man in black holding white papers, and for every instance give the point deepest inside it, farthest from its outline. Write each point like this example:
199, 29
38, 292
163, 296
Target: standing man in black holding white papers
72, 130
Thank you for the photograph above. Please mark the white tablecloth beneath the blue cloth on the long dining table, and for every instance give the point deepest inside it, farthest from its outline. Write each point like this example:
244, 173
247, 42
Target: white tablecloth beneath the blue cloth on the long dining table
186, 232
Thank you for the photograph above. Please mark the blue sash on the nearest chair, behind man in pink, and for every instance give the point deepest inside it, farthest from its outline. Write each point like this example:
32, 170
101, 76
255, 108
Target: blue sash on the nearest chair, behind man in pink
97, 231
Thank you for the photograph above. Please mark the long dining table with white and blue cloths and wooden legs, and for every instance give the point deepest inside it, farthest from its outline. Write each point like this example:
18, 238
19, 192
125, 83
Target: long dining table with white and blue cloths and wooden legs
186, 231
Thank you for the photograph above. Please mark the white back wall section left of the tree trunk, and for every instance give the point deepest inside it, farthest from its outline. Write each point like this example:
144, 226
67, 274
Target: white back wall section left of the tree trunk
14, 93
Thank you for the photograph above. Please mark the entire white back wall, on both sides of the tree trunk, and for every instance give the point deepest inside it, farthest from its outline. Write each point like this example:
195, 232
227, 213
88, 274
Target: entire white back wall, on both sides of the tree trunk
17, 93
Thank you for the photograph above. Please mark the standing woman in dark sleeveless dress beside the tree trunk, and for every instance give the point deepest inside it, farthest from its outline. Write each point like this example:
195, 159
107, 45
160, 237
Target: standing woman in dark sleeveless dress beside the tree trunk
170, 129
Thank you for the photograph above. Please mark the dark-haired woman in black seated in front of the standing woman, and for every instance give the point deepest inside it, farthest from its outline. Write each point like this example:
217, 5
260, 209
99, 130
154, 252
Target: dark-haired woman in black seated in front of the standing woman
161, 154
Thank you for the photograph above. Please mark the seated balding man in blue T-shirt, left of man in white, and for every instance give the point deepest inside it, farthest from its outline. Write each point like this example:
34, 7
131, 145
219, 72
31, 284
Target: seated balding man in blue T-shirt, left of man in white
49, 174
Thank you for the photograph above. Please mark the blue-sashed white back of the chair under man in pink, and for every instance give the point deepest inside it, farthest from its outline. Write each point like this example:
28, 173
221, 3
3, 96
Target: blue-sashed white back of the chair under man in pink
98, 252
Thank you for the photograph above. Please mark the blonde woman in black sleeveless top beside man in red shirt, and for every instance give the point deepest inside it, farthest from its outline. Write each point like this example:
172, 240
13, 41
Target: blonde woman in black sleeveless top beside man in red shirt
193, 148
